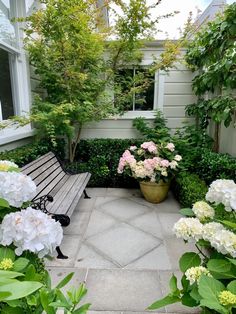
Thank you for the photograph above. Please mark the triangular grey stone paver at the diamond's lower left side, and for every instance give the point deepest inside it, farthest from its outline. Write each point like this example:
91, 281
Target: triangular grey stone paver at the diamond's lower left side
89, 258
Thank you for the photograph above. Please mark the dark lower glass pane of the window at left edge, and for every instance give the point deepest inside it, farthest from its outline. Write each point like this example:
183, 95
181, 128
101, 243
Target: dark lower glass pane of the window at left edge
5, 86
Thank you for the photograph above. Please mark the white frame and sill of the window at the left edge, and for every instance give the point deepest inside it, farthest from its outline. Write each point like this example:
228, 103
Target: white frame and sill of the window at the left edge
20, 78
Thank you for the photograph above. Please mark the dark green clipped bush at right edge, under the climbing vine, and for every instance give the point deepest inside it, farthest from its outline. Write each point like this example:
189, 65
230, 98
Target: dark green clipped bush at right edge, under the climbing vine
212, 166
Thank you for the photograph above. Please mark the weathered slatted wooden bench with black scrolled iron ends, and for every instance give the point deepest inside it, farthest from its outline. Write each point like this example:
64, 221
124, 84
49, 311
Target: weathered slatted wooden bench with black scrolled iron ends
58, 191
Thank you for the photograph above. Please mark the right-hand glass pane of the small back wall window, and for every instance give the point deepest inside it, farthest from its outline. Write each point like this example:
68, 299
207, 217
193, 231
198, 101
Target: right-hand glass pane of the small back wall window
144, 100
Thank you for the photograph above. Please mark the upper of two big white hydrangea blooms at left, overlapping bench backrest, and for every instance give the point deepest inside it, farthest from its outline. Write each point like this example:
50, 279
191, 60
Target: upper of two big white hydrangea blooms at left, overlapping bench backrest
16, 188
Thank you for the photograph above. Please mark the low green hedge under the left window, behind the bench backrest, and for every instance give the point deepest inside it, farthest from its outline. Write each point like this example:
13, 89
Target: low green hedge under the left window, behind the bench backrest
27, 153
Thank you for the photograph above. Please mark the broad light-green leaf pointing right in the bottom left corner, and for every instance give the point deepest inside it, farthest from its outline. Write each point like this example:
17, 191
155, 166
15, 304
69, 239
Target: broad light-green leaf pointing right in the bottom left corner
20, 289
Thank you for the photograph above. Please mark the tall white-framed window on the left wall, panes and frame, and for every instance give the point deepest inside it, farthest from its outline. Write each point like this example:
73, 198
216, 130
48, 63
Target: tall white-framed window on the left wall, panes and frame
14, 78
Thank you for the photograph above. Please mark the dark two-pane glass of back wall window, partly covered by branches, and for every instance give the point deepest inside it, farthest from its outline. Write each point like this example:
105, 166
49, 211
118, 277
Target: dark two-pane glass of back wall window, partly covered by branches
134, 89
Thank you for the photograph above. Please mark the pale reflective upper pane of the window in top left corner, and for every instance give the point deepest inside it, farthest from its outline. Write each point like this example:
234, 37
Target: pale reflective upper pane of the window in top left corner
7, 30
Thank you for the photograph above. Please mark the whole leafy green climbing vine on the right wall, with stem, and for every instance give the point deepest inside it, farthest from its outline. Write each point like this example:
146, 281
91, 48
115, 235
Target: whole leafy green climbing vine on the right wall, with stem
212, 53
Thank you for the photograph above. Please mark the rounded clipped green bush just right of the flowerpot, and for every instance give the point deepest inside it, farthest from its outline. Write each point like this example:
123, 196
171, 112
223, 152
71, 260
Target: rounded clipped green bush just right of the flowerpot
189, 188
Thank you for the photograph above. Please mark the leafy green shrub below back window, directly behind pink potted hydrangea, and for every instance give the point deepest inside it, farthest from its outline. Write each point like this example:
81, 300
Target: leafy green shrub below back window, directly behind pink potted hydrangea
158, 132
